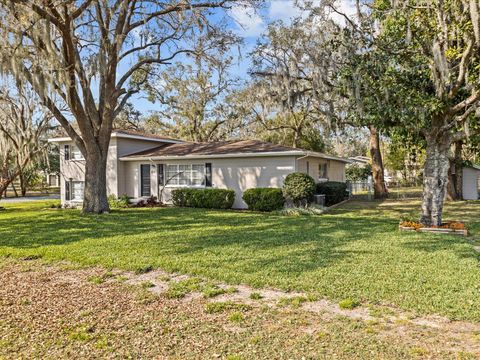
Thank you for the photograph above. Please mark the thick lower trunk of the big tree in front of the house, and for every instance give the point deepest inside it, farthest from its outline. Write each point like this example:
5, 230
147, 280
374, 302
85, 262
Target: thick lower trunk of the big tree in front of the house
95, 192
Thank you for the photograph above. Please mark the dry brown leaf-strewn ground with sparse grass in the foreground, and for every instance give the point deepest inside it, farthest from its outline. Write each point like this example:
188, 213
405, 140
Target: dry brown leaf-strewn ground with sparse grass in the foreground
52, 311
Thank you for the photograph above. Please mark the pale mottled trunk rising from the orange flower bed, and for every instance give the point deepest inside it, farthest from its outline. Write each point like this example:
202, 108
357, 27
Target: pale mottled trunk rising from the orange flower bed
435, 179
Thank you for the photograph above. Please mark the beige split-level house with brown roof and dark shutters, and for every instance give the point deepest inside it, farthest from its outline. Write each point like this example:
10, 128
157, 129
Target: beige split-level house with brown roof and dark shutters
140, 165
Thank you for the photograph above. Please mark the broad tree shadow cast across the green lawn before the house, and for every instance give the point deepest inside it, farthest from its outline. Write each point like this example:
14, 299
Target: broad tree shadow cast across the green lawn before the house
315, 241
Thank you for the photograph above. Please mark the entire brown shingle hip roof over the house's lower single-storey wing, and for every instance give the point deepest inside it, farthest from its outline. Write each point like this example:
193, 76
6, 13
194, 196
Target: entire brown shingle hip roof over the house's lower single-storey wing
233, 148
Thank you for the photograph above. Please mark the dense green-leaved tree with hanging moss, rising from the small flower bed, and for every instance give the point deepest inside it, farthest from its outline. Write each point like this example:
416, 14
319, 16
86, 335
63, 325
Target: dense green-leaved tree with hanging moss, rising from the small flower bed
417, 68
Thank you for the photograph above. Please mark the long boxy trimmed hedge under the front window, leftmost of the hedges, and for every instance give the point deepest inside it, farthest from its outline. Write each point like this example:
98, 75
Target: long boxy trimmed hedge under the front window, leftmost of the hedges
203, 198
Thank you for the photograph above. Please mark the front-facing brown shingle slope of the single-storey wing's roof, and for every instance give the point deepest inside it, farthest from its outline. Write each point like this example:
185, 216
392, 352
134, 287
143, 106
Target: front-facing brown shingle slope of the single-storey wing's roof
213, 148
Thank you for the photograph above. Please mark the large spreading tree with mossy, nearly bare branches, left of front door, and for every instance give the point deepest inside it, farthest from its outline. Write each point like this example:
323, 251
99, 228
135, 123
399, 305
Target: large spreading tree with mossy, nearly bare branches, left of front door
90, 57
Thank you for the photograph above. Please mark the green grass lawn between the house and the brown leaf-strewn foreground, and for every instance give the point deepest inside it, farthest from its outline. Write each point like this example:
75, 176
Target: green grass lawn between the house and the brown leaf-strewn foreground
353, 252
